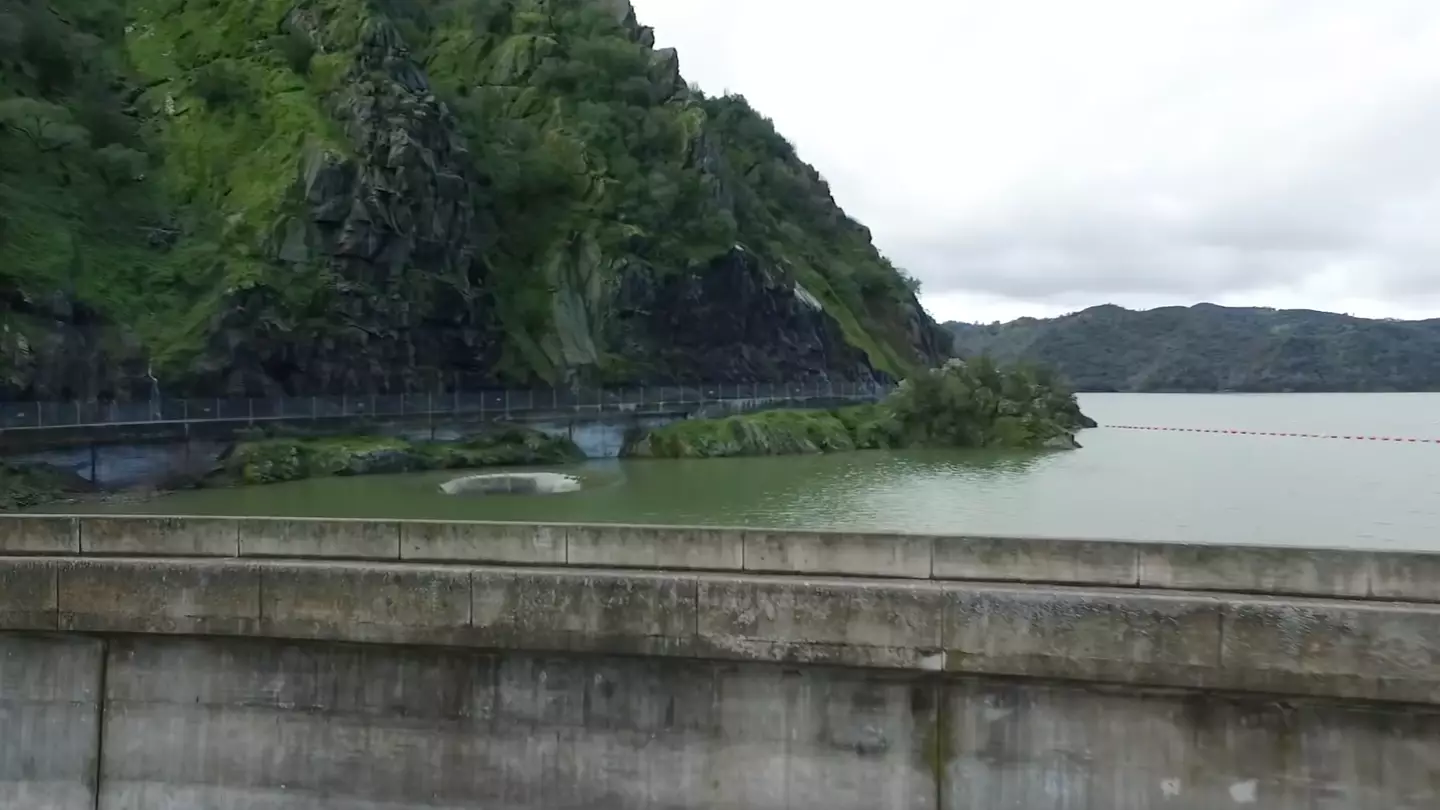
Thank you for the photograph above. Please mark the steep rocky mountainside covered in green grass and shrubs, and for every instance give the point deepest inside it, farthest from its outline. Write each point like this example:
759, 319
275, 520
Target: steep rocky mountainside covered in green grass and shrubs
258, 198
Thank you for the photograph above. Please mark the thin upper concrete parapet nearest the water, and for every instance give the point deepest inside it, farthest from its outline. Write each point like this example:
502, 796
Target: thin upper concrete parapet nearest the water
1243, 570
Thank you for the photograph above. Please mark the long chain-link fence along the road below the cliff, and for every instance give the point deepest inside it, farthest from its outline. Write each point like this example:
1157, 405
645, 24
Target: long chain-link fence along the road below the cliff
503, 403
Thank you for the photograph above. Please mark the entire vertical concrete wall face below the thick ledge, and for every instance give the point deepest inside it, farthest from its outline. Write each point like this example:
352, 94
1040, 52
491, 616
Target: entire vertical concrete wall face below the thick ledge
148, 723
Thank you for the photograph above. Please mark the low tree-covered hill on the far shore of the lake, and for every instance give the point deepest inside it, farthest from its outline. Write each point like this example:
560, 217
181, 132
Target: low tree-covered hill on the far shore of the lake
1212, 348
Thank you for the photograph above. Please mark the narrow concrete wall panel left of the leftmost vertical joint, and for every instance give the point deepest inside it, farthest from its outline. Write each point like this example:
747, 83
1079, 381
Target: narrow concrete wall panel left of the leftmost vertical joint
50, 723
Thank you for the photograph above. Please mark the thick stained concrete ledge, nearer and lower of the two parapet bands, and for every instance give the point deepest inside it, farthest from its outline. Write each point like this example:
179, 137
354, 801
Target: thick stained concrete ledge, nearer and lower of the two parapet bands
1125, 636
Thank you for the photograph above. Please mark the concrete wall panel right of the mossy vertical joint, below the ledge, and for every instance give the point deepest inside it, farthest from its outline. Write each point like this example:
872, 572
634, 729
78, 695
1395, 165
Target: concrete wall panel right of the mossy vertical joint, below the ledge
1050, 747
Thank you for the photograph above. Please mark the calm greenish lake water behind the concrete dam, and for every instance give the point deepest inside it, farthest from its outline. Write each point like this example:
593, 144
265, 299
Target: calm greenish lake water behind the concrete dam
1131, 485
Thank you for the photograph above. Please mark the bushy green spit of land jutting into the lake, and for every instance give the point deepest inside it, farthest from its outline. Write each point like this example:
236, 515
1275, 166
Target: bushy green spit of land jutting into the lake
963, 406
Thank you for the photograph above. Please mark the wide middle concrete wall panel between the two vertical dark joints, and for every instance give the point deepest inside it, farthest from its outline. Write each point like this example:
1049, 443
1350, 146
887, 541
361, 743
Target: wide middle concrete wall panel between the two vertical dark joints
231, 726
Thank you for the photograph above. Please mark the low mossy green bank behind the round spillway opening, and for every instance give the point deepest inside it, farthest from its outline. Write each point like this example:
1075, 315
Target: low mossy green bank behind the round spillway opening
274, 460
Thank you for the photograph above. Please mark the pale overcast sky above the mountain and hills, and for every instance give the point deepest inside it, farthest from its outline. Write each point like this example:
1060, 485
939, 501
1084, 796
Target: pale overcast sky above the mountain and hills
1042, 156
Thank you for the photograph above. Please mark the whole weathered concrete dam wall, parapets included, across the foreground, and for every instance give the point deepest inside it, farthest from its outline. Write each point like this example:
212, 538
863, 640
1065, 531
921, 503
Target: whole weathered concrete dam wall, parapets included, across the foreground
294, 665
